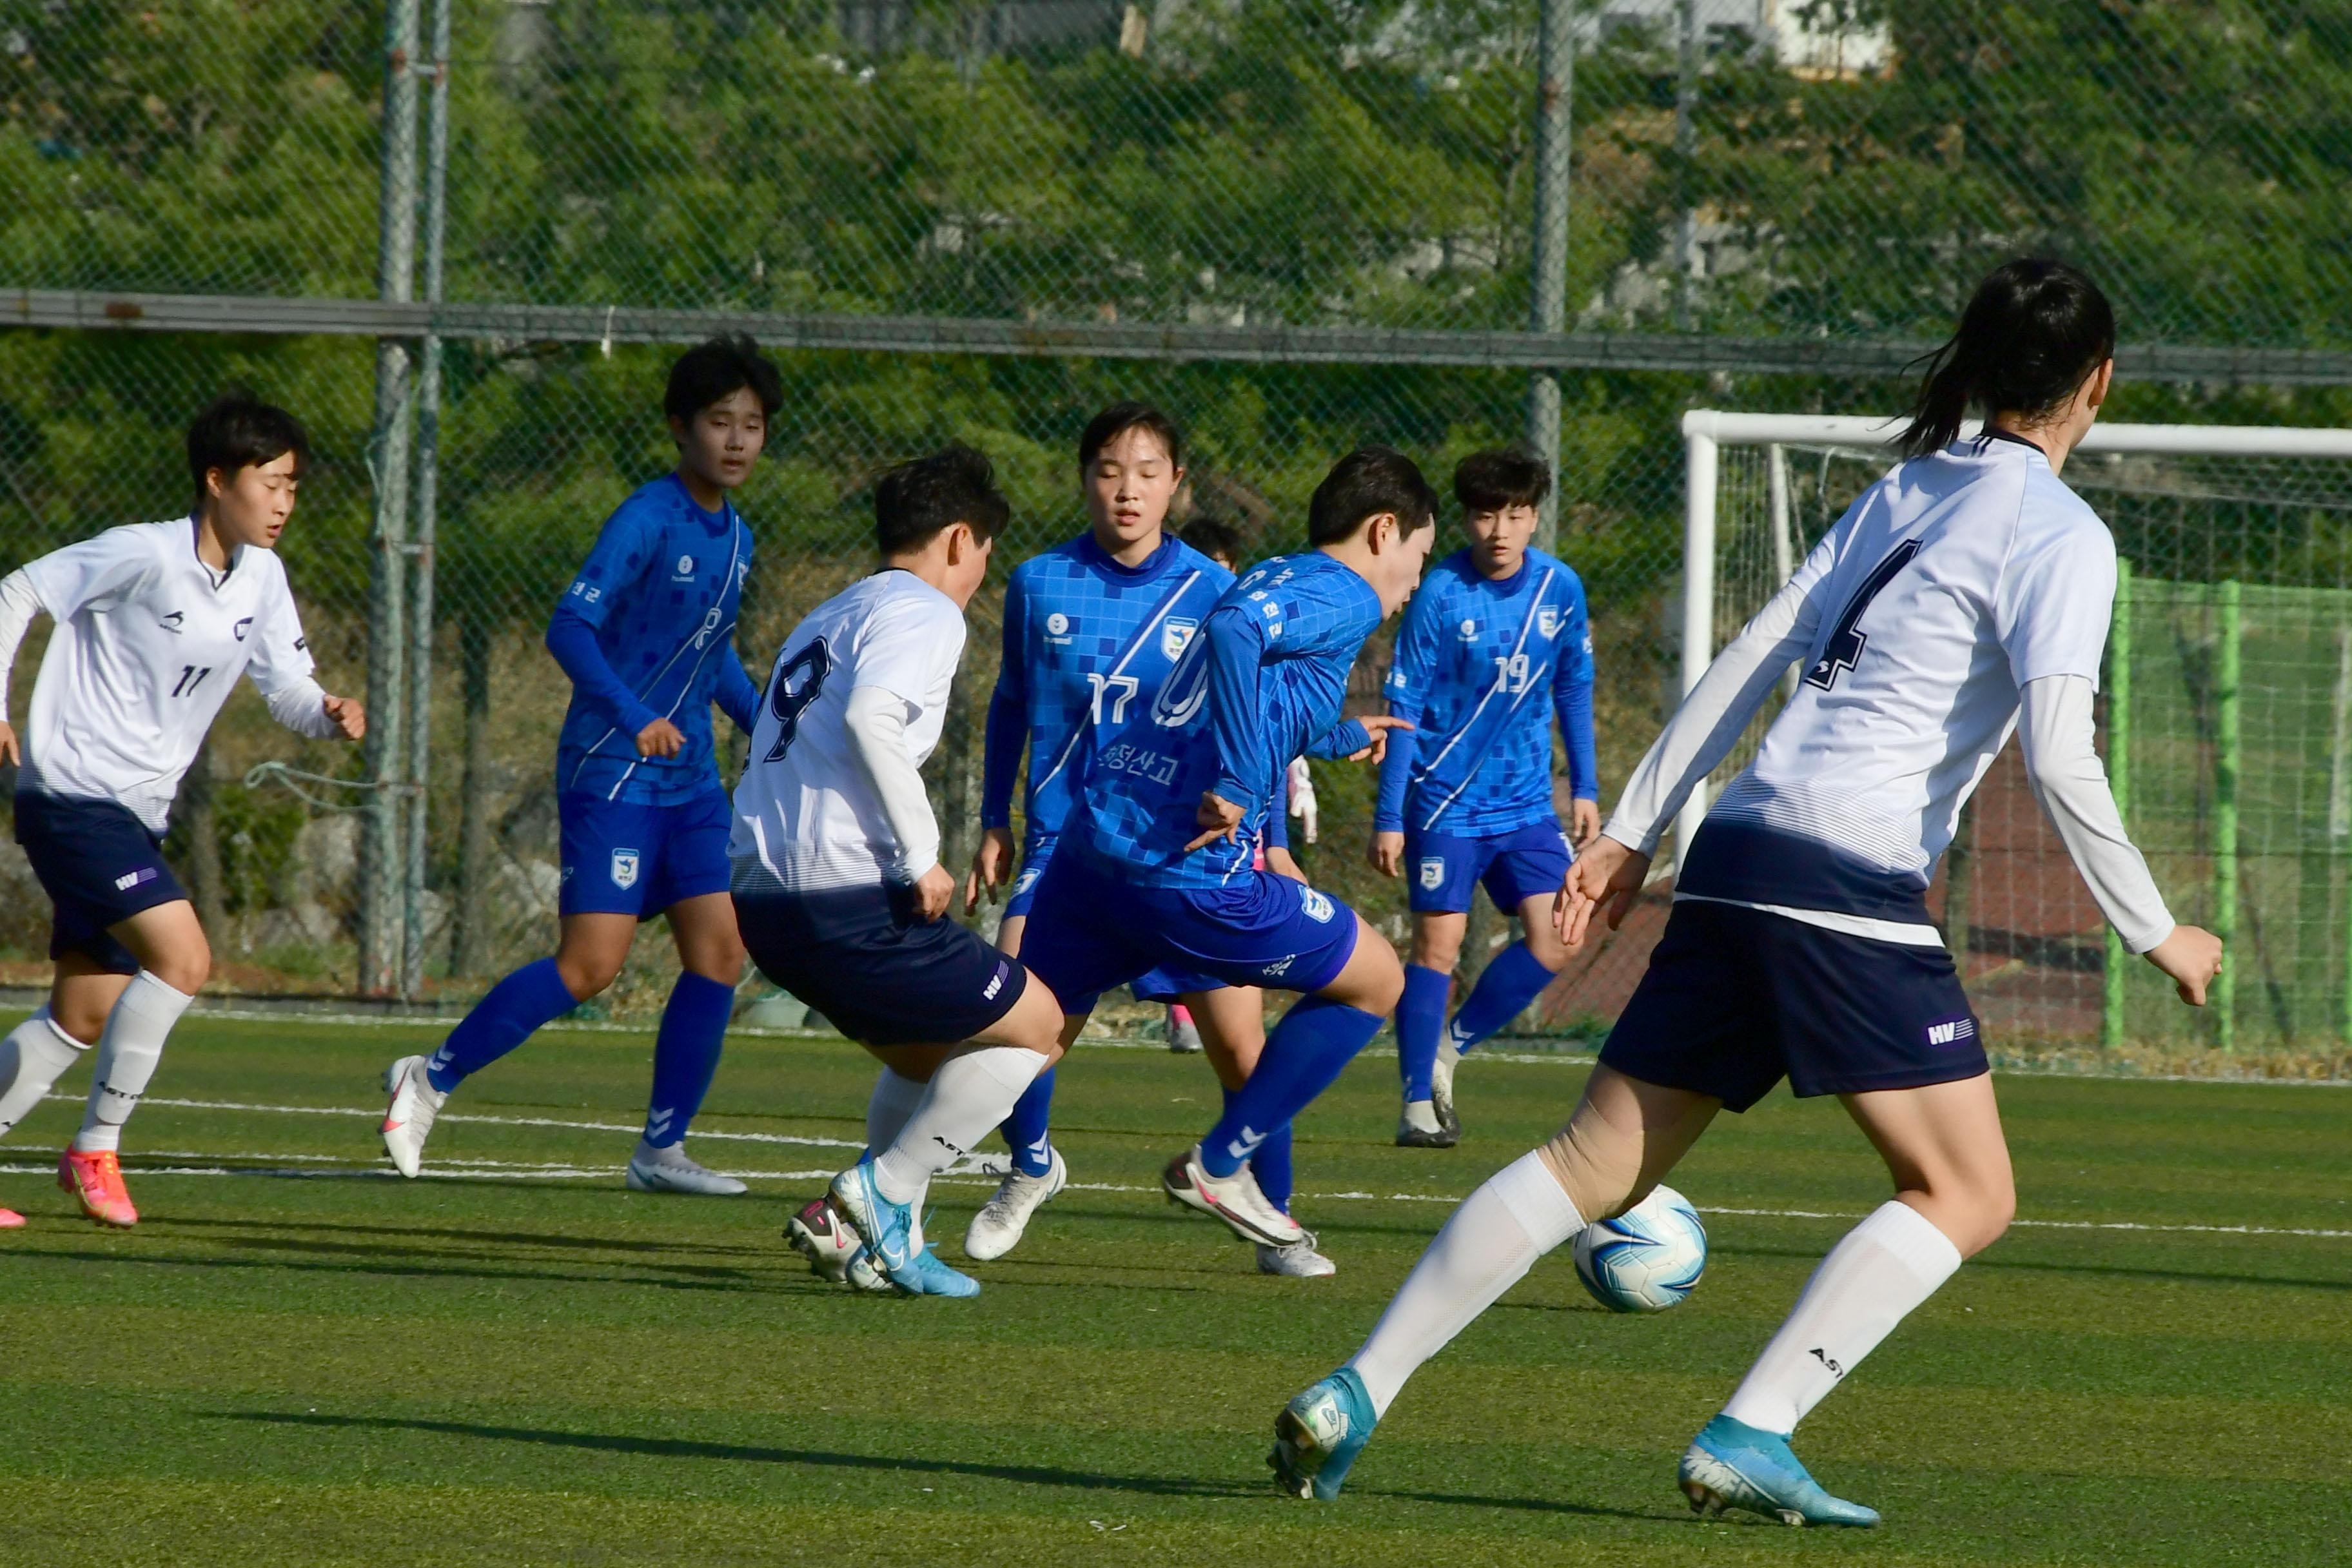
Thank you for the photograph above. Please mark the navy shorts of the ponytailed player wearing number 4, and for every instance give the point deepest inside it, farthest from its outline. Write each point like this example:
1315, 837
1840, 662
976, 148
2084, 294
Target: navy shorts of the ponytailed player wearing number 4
1737, 1000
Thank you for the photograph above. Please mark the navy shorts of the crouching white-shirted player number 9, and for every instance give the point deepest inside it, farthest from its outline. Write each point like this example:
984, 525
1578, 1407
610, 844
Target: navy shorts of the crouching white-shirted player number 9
876, 970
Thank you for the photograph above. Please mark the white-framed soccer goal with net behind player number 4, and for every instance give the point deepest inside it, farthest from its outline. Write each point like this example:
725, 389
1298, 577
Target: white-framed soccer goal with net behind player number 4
2226, 718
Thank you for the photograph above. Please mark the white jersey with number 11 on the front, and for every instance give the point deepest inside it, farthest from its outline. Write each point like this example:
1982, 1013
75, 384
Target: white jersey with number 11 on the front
147, 645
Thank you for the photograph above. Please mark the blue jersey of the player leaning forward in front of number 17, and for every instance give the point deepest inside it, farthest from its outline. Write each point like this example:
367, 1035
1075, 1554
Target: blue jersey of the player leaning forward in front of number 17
1262, 685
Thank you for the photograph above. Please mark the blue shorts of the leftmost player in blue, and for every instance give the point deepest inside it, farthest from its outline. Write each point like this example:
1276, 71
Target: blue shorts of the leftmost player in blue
629, 859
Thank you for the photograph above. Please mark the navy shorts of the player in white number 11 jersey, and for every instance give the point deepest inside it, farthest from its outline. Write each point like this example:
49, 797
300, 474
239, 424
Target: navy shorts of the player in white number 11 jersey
100, 866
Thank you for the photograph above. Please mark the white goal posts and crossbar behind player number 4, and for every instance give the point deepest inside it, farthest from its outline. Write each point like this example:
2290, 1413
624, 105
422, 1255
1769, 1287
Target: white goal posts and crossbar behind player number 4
1709, 431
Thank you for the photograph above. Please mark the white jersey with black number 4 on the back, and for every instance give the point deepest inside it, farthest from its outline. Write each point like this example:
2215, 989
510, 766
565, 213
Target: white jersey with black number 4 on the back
1946, 587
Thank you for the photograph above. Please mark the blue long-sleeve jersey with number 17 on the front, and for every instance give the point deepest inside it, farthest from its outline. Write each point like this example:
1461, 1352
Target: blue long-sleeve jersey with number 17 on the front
1088, 643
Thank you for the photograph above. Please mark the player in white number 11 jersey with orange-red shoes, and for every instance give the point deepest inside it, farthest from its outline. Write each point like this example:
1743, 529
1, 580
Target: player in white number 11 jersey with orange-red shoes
154, 624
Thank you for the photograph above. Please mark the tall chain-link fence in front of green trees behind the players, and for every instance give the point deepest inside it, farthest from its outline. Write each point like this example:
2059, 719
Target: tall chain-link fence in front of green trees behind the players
1297, 227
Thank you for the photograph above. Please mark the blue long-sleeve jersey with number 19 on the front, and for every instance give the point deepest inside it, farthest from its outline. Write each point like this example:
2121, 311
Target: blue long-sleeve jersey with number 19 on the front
1483, 671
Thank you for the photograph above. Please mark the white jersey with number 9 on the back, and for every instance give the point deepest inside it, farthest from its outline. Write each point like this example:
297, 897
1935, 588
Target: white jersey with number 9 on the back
808, 812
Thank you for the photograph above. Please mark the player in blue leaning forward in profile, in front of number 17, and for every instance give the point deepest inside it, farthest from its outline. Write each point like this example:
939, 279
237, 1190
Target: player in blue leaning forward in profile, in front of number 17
1156, 866
